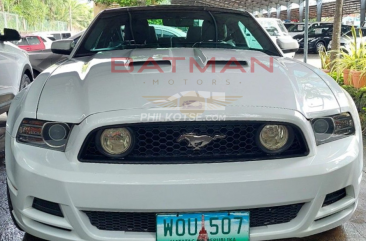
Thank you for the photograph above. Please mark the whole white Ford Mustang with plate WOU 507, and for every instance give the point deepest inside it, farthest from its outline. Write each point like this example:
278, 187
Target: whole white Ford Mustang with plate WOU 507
213, 136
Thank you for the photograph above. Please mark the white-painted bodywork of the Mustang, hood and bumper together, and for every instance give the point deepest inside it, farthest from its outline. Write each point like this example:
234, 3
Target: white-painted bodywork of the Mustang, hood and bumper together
86, 93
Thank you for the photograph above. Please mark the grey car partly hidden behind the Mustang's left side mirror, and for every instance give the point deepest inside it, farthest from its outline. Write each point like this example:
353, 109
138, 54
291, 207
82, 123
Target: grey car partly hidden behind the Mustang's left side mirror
41, 60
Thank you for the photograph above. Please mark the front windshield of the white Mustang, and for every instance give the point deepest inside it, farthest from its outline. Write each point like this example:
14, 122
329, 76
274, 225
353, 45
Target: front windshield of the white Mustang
174, 29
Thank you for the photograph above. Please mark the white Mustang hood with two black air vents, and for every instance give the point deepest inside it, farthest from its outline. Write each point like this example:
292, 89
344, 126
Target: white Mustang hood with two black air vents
84, 86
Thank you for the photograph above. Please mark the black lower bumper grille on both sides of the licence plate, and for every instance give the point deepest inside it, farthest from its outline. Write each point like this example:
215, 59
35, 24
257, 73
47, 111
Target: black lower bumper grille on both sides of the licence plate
146, 222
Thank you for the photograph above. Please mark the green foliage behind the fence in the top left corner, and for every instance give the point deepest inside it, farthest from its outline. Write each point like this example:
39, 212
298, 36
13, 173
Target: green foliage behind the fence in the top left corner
77, 14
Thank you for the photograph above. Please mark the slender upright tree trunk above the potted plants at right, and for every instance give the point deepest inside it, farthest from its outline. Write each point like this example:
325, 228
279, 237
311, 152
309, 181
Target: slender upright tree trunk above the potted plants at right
336, 31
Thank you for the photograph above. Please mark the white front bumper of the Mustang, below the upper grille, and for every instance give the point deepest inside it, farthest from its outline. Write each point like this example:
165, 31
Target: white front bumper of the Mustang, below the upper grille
50, 175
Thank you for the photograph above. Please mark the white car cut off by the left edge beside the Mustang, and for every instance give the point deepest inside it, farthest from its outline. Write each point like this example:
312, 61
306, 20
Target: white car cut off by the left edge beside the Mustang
15, 69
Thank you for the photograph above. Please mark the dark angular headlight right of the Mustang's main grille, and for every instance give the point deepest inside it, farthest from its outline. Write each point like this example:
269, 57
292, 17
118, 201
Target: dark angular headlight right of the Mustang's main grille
332, 128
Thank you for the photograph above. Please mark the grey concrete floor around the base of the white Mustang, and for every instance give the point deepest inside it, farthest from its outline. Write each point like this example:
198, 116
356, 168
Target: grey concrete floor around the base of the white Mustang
353, 230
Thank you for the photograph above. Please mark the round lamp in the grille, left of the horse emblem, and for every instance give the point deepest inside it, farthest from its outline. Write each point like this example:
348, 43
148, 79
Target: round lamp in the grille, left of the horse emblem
115, 142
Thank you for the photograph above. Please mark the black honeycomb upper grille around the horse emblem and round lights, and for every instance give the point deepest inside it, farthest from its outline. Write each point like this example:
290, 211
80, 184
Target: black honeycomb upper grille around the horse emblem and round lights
157, 143
